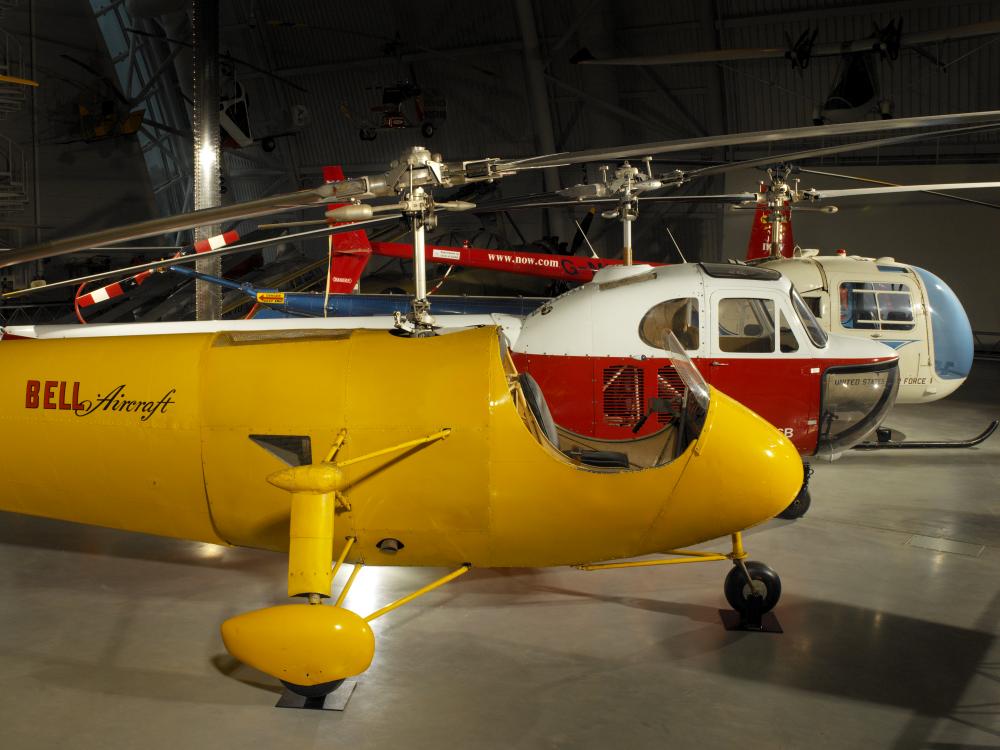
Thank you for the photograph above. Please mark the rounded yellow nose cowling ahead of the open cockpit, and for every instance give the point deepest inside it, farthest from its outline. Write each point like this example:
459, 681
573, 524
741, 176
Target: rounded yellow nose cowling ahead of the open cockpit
742, 472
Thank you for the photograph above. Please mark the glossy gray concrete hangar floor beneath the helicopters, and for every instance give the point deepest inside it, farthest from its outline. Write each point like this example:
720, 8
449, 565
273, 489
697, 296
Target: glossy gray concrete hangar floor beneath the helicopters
111, 640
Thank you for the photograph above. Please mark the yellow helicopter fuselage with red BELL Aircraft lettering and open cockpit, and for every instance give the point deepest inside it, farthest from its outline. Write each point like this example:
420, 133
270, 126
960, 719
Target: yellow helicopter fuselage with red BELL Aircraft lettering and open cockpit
153, 434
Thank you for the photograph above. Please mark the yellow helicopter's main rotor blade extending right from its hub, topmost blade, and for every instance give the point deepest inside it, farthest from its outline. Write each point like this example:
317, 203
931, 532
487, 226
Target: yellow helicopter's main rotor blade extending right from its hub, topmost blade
737, 139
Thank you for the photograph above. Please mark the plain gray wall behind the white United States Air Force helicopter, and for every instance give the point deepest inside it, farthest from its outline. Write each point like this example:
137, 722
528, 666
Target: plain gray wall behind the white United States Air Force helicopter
957, 241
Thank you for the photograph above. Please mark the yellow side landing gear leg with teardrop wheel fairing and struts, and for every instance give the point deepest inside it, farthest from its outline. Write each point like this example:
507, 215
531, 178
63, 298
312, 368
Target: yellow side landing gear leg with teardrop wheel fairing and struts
313, 648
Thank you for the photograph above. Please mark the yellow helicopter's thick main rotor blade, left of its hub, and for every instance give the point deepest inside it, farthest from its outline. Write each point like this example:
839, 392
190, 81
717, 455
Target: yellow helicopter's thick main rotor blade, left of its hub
203, 217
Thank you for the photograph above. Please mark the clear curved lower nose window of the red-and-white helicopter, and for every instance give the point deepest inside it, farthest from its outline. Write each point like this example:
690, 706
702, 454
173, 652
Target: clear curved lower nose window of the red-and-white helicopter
854, 401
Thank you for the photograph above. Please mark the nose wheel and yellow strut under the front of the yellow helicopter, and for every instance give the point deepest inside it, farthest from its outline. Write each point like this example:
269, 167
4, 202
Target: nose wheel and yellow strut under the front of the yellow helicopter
751, 588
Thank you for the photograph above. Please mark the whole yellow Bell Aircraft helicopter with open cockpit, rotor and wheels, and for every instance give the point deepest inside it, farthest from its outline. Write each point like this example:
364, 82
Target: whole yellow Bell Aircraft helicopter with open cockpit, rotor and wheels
467, 474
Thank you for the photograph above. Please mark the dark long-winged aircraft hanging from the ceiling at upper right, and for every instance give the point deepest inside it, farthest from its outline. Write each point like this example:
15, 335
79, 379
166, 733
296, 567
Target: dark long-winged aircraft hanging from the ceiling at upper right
856, 91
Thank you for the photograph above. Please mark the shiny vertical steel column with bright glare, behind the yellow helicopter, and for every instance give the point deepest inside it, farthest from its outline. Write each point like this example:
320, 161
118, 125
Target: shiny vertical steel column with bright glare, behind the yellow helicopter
207, 155
